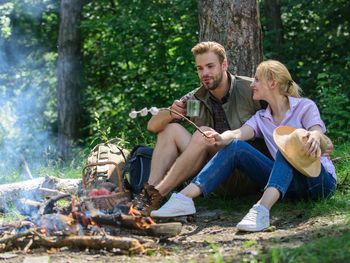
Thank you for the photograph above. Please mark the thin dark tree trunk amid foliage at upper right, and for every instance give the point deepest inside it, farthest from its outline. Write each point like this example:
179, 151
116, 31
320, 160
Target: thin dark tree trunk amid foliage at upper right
274, 21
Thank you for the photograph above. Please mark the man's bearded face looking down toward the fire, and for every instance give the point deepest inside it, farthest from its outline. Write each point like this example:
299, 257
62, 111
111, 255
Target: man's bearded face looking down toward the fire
209, 69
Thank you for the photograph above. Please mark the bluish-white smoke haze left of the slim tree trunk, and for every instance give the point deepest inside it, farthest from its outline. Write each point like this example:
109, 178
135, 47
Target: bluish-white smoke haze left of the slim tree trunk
27, 82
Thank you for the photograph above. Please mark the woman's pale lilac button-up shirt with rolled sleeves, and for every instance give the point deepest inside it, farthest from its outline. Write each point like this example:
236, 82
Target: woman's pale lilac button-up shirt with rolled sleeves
303, 113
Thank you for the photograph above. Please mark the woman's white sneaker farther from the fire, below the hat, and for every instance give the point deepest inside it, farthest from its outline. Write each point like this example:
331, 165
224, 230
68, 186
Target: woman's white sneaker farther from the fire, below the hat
257, 219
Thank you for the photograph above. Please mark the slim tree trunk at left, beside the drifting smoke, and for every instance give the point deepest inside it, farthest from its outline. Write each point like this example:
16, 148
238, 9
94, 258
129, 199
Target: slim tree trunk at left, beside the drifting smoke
69, 75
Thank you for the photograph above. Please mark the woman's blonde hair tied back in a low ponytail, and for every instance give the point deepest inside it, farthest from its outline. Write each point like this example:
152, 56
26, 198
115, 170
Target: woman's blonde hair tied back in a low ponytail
275, 70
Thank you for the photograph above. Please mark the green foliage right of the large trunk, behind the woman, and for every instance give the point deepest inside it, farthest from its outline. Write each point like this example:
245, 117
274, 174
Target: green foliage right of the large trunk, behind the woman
316, 35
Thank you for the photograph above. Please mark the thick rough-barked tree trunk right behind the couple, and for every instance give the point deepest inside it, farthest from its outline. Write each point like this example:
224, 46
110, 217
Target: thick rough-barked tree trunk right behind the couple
236, 25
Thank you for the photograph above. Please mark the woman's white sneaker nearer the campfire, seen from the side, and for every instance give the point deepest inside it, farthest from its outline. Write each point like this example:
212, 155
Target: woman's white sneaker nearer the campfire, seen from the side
177, 205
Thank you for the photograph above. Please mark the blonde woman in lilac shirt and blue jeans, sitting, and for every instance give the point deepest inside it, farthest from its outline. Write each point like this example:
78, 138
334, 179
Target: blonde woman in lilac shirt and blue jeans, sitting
272, 83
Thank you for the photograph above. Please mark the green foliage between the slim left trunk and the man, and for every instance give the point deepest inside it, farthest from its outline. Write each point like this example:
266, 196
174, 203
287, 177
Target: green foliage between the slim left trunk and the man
136, 54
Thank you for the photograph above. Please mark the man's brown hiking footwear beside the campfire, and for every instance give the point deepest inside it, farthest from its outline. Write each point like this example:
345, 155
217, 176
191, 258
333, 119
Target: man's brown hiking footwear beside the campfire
147, 200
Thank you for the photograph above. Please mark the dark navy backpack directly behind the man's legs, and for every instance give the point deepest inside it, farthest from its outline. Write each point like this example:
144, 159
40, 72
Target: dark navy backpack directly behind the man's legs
137, 168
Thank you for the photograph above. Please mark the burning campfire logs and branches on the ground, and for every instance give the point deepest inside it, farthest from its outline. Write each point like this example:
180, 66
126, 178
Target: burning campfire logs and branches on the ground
63, 220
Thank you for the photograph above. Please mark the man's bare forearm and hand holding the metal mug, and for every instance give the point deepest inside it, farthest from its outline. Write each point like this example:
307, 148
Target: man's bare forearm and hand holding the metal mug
158, 122
